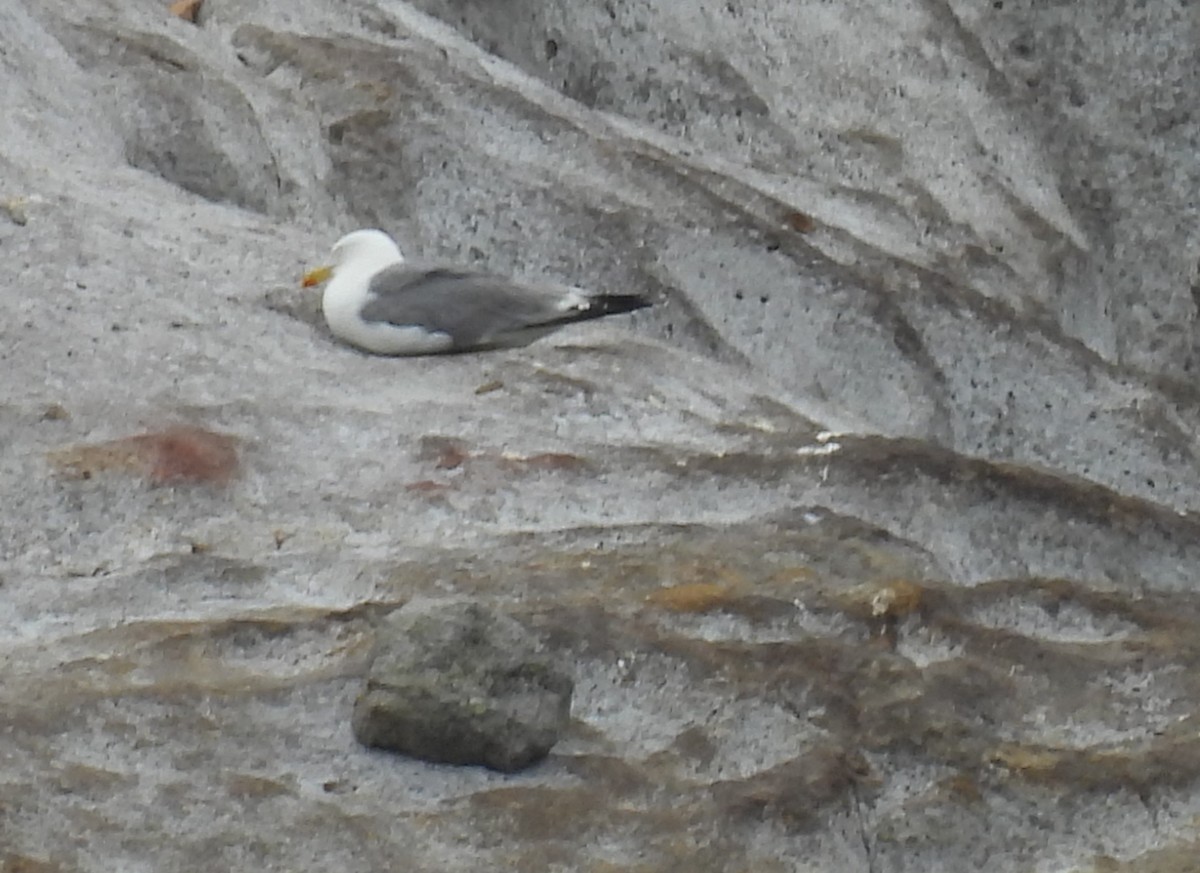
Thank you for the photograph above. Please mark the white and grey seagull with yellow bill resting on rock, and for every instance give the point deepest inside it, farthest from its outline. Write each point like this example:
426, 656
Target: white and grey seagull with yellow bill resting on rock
380, 304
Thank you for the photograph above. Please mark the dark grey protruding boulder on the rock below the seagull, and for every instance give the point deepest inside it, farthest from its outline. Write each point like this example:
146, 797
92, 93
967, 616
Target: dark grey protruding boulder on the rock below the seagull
459, 684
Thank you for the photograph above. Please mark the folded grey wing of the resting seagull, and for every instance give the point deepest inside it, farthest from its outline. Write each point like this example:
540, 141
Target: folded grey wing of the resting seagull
473, 309
